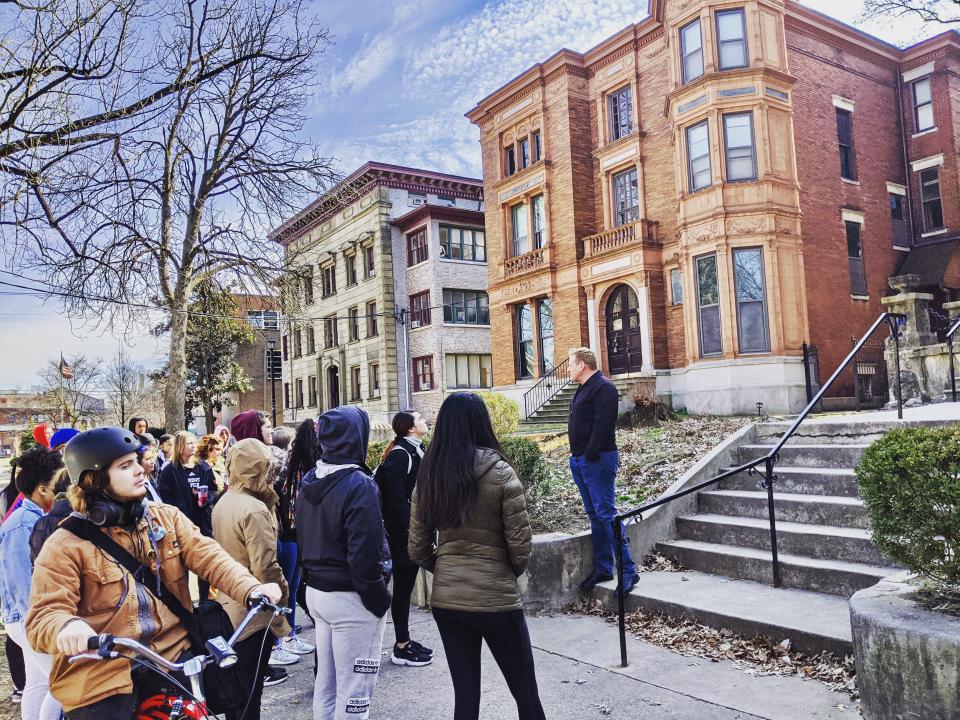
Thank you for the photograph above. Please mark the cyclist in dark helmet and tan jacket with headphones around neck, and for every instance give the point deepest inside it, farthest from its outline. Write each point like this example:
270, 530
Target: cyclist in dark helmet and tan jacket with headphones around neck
80, 591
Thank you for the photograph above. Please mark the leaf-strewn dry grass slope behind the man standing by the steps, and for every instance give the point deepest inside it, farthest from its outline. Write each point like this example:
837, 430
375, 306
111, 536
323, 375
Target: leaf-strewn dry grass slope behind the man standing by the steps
650, 460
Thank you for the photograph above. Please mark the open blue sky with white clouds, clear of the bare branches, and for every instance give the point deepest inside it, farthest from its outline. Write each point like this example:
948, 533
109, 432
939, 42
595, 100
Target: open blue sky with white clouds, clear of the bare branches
395, 85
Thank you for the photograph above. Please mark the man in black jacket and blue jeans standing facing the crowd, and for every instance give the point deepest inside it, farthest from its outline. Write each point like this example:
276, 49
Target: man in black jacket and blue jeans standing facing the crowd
594, 461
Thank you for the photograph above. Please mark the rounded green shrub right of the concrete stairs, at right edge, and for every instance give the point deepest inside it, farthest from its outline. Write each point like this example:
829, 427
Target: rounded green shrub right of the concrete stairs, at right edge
910, 481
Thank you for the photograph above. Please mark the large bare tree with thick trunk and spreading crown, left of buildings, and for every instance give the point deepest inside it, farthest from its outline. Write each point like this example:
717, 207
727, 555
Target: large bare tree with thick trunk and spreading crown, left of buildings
187, 193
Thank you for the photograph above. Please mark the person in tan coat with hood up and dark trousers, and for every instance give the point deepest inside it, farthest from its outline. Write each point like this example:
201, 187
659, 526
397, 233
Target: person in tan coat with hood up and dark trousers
245, 524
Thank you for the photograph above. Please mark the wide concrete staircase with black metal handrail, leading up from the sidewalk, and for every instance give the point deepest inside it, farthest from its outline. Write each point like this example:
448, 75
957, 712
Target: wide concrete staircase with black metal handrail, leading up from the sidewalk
823, 540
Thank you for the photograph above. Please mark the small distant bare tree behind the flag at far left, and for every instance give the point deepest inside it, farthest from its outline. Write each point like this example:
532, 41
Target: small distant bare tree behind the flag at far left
70, 401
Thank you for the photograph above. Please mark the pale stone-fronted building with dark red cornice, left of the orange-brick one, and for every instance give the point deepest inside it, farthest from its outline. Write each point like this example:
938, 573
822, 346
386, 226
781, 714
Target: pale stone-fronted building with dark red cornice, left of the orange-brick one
377, 255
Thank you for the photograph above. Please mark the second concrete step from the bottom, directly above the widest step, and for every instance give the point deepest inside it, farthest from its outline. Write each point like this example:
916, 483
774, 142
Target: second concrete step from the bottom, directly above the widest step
833, 577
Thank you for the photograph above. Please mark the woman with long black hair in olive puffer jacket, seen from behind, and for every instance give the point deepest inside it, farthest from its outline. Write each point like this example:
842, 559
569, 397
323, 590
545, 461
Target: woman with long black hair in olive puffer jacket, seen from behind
469, 527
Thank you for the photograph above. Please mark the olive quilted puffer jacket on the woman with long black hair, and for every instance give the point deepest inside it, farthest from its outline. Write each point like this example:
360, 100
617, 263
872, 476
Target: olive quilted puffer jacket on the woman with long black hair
476, 566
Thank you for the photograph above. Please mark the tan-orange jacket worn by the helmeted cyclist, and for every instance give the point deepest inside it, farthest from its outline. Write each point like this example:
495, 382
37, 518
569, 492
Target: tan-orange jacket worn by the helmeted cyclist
72, 578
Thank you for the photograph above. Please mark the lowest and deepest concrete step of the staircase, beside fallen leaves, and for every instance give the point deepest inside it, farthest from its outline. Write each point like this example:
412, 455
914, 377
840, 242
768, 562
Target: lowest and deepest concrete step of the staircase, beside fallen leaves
813, 622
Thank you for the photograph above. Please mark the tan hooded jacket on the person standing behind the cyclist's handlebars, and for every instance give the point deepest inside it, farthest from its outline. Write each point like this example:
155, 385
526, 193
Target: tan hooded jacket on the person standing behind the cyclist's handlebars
245, 524
